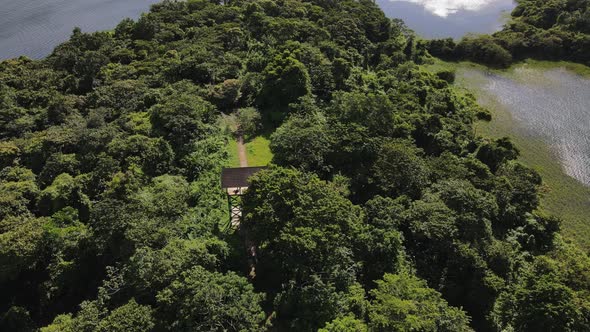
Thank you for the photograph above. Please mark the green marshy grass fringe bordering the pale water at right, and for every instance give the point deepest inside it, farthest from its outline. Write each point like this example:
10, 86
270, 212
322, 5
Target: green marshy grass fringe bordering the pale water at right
562, 195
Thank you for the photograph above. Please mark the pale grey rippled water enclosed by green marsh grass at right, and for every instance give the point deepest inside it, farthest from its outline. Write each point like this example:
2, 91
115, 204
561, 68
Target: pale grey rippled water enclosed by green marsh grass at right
551, 105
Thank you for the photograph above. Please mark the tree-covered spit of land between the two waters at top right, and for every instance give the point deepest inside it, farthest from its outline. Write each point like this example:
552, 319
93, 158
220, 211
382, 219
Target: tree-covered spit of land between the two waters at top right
546, 30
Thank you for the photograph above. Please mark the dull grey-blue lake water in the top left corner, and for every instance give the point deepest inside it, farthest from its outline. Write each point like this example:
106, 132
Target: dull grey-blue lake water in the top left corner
35, 27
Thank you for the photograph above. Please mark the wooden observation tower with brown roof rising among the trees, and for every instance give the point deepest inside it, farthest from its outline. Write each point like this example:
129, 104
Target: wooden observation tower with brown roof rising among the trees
235, 183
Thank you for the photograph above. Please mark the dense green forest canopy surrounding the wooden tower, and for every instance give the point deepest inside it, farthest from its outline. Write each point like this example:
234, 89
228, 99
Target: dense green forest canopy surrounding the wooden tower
382, 211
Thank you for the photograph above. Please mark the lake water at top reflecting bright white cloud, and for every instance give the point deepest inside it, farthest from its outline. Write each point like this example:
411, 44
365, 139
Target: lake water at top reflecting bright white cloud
449, 18
